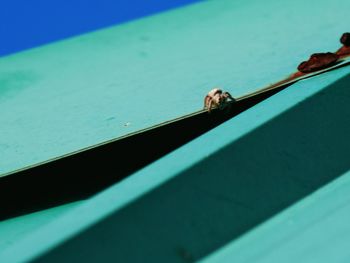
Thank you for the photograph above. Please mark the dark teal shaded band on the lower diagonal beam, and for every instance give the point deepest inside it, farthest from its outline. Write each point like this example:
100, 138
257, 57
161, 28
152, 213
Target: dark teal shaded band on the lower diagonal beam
230, 192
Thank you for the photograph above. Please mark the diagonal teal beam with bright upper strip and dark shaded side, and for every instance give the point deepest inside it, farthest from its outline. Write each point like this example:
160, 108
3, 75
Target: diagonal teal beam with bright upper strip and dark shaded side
200, 197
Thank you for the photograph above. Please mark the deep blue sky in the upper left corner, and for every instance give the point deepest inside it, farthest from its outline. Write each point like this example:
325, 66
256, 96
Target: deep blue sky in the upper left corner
29, 23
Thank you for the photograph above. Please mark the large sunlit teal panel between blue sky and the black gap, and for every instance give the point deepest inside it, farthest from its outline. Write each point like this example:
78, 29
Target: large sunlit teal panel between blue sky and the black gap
82, 91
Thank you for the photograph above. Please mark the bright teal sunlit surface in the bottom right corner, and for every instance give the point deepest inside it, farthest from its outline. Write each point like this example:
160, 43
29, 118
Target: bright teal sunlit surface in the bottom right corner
315, 230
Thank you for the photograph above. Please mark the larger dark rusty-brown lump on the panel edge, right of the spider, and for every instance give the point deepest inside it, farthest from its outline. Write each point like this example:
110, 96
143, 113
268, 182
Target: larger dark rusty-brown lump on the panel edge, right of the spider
318, 61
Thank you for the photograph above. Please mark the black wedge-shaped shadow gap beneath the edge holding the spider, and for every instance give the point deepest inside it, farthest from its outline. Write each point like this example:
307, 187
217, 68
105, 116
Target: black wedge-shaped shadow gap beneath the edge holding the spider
85, 173
